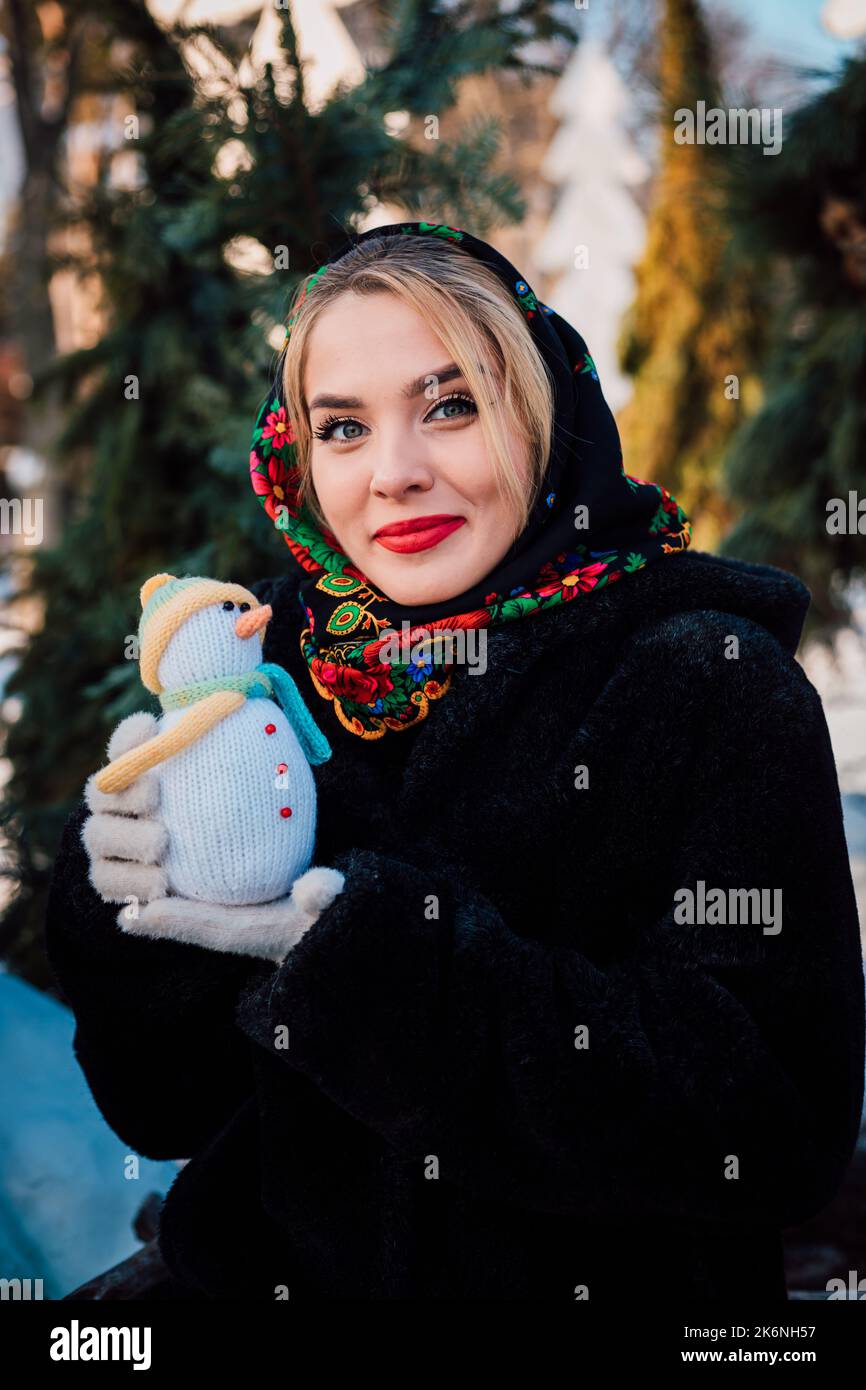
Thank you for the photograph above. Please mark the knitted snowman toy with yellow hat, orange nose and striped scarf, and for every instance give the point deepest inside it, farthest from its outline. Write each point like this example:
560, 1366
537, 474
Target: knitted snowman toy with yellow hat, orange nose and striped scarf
233, 754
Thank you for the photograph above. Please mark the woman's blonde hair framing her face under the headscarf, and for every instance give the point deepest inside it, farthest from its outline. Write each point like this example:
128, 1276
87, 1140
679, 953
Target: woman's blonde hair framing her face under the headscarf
479, 323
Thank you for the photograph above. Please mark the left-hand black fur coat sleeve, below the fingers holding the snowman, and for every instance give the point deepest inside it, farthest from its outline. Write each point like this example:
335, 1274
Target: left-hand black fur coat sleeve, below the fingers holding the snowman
163, 1007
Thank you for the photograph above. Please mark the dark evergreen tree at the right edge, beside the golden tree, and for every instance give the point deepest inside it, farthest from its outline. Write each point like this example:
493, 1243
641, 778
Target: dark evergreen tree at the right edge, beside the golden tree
803, 223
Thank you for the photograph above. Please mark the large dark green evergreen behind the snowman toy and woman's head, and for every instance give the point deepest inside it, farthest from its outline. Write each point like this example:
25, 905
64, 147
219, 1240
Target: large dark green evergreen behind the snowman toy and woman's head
163, 405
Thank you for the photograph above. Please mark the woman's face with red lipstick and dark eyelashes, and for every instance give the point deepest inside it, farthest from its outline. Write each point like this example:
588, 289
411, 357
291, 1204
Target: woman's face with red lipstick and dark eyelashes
397, 440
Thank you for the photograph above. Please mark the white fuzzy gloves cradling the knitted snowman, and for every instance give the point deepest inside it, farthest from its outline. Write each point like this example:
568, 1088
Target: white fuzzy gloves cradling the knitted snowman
126, 843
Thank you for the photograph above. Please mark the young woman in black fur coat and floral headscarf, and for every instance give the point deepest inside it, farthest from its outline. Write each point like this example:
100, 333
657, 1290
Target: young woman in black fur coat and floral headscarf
587, 1018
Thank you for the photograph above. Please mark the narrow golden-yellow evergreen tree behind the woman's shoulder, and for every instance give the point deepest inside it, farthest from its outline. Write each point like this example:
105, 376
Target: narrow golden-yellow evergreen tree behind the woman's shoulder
694, 322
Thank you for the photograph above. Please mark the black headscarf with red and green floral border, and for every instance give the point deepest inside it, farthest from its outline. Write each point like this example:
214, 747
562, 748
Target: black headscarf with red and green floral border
345, 621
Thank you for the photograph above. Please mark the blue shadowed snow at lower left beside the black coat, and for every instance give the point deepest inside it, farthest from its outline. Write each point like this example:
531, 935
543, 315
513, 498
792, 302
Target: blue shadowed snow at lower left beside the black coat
66, 1209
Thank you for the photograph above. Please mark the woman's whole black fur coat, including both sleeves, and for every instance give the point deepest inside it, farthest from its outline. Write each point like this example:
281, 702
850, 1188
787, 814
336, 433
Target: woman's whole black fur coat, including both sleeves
512, 1072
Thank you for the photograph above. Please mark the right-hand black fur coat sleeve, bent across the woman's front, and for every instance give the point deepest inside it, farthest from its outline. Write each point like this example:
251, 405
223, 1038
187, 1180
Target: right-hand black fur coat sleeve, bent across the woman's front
694, 1056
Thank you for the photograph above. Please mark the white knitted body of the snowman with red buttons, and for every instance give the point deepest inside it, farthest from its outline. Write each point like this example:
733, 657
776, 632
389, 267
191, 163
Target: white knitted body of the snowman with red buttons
220, 800
